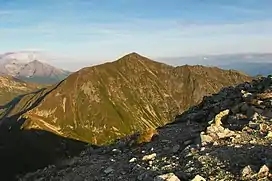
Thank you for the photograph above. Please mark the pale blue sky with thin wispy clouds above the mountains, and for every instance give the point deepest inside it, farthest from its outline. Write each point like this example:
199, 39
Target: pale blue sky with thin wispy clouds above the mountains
83, 32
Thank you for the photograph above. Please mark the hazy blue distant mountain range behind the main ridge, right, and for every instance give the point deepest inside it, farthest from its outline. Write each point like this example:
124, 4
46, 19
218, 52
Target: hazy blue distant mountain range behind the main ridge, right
251, 63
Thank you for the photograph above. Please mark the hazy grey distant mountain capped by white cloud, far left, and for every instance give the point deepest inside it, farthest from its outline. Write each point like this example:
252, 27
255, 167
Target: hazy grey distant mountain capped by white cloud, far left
29, 66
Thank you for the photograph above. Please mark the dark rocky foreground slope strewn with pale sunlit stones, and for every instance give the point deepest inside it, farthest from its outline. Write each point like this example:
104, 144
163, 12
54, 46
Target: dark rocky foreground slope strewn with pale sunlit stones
228, 136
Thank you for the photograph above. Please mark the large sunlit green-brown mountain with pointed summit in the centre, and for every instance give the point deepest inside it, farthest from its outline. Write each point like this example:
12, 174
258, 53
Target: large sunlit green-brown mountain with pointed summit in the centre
101, 103
